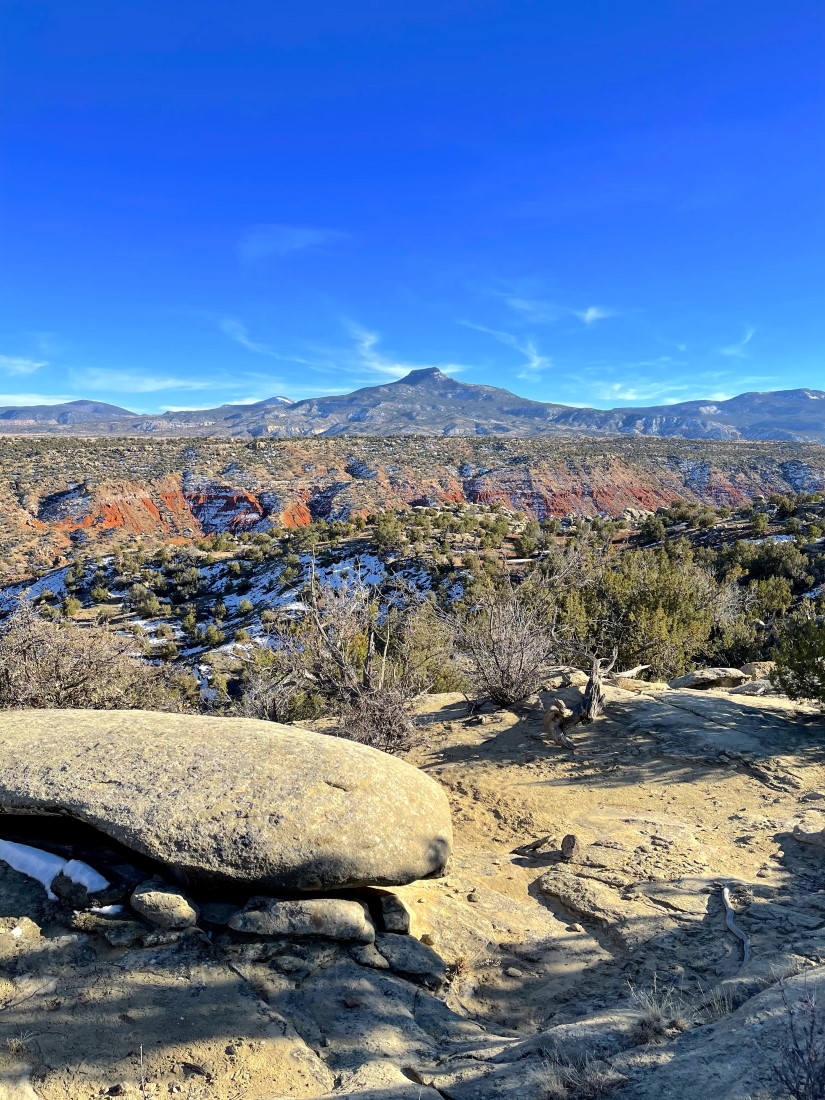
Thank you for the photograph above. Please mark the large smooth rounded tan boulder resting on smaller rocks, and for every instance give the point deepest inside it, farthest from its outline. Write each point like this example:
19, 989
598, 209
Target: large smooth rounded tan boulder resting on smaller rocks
230, 802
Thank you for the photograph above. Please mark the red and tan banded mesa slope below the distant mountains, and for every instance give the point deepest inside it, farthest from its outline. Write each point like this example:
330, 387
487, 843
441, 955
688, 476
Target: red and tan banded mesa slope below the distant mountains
53, 490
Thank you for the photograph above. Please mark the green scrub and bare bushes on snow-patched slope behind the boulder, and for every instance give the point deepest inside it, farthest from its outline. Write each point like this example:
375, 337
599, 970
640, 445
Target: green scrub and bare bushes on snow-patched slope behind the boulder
351, 620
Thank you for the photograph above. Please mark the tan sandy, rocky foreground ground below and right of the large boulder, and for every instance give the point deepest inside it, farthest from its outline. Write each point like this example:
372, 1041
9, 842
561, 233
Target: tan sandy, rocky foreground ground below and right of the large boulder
672, 796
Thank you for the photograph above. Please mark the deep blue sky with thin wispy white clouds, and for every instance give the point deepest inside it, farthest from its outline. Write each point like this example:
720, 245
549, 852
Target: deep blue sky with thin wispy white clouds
588, 202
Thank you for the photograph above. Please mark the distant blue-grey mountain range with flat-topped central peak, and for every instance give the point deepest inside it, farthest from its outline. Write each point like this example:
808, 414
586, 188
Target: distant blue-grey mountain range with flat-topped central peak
431, 403
